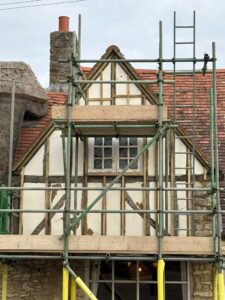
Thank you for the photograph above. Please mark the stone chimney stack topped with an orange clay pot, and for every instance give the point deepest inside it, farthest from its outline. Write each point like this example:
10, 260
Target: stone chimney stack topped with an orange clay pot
62, 43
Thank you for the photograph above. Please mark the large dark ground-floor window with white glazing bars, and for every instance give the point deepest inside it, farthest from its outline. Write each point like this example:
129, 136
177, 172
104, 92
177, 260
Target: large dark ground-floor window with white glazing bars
137, 280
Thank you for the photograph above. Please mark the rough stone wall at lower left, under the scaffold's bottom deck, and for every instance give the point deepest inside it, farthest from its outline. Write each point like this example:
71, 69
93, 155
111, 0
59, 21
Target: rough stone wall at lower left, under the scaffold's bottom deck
38, 280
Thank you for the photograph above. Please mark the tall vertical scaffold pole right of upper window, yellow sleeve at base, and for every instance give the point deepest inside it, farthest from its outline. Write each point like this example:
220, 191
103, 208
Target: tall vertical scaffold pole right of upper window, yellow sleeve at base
161, 264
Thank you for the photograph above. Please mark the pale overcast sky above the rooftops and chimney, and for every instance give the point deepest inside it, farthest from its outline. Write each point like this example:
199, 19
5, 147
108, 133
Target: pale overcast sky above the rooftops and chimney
132, 25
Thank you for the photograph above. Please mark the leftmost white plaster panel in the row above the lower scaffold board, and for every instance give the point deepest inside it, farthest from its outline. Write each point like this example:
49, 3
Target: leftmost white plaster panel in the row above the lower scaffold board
32, 200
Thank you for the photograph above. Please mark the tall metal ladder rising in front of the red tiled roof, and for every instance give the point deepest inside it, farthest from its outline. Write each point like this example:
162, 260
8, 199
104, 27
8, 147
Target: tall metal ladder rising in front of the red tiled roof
189, 168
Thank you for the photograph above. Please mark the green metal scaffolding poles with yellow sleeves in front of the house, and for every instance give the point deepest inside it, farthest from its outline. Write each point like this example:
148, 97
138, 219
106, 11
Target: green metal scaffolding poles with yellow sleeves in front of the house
161, 130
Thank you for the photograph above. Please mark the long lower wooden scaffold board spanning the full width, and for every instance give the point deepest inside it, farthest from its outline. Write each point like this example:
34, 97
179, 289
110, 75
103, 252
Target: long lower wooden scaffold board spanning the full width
108, 244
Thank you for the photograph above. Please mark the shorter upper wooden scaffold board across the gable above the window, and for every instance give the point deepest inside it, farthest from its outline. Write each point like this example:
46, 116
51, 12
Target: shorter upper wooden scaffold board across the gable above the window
133, 114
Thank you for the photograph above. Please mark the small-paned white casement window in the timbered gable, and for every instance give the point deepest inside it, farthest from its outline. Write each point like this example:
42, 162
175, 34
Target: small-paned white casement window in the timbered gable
111, 154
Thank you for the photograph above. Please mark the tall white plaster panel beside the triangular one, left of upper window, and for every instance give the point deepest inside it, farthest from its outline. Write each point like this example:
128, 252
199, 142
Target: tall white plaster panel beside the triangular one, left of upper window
56, 154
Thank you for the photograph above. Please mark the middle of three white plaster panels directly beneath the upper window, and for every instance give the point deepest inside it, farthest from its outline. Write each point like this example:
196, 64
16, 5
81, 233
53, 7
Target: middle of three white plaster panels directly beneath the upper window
113, 220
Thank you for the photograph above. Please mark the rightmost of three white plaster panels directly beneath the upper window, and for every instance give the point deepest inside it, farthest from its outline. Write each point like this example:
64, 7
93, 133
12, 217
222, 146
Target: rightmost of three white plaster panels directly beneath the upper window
134, 222
